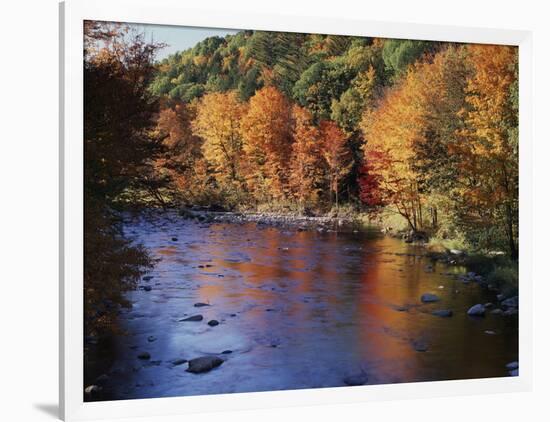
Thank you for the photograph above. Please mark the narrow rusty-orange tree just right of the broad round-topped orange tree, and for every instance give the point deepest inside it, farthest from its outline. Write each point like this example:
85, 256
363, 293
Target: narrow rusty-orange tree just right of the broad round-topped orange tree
306, 167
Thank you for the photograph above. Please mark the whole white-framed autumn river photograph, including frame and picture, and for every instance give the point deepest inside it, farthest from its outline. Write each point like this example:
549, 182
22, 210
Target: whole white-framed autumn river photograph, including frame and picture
268, 210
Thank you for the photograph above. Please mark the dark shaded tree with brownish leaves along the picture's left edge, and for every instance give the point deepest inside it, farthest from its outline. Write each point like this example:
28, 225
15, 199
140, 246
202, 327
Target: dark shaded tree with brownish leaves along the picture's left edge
120, 147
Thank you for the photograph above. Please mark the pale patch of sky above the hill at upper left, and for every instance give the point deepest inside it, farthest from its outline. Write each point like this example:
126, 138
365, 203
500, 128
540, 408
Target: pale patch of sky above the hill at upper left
178, 38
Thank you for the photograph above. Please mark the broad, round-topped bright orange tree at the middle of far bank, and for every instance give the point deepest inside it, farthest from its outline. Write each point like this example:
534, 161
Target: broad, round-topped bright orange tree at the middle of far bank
267, 133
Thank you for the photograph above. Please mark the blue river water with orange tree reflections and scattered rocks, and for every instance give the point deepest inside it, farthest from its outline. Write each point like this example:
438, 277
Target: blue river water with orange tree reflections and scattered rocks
297, 309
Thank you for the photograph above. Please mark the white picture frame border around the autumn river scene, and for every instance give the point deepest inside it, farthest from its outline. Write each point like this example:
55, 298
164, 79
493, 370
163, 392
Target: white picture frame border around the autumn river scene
173, 12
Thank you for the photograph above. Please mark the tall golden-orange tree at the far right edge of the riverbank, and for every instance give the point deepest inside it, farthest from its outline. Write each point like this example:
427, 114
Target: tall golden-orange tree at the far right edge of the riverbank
488, 147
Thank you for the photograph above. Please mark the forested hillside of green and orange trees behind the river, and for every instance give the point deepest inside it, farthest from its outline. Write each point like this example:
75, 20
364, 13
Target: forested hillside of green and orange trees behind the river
272, 121
